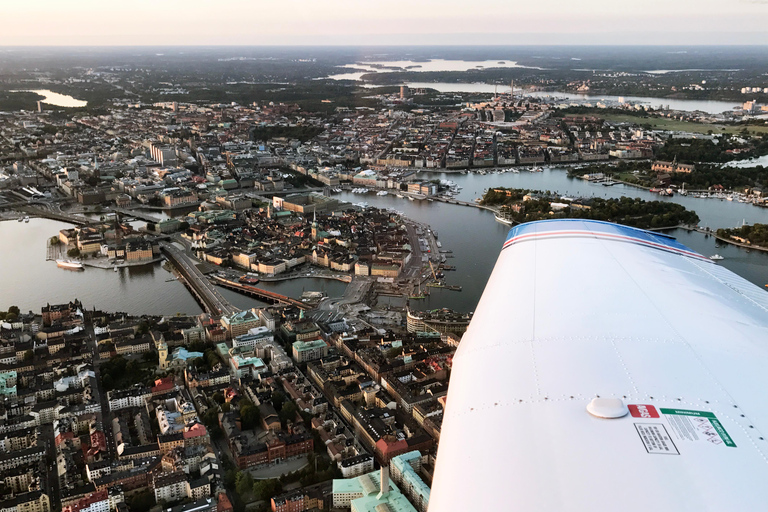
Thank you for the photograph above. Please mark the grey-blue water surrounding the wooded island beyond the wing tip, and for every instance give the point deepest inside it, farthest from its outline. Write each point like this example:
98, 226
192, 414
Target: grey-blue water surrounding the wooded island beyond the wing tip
475, 237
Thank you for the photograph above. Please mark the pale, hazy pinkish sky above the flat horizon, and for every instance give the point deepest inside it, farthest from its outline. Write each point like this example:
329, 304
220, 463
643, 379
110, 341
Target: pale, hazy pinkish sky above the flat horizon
375, 22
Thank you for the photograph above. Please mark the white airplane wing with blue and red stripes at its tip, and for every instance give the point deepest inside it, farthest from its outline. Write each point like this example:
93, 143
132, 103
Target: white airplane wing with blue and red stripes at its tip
607, 368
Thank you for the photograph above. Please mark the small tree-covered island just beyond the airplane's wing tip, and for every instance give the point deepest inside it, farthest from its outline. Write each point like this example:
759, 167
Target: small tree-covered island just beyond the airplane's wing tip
523, 205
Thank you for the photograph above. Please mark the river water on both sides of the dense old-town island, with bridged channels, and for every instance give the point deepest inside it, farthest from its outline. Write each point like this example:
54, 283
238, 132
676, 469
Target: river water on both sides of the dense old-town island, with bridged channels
472, 234
